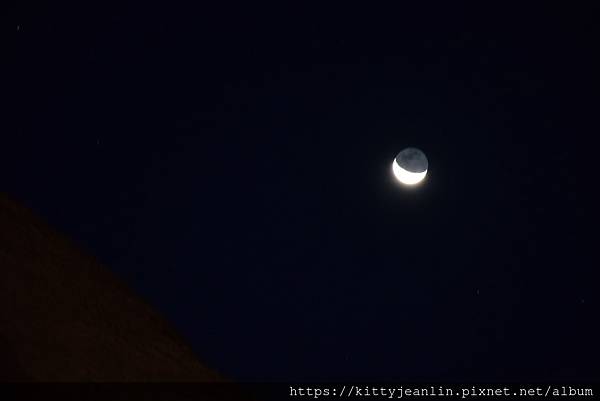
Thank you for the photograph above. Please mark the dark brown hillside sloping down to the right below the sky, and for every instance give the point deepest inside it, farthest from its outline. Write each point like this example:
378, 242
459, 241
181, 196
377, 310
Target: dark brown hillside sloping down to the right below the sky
63, 317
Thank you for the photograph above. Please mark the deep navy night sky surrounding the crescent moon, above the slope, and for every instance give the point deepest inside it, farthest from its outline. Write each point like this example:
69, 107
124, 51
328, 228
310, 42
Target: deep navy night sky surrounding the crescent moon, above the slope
233, 166
